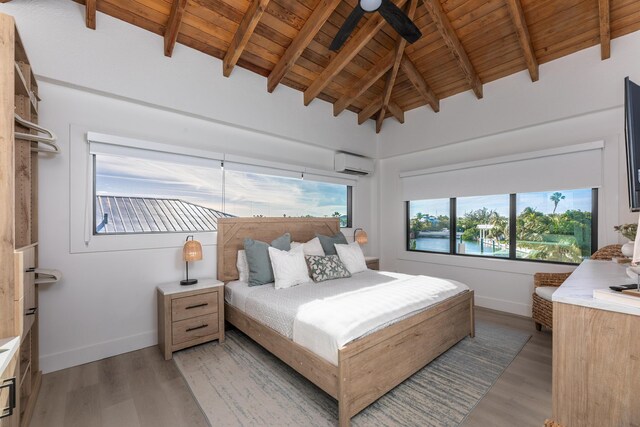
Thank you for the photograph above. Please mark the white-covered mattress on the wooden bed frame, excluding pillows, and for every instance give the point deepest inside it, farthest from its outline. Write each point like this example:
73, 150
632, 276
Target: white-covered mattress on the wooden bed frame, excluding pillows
323, 317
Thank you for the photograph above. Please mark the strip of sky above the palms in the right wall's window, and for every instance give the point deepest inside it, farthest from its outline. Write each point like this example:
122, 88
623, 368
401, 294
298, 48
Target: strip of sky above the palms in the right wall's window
574, 200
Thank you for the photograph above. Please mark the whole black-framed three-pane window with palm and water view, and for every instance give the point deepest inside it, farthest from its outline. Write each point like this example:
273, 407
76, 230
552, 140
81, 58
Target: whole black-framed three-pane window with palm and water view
553, 226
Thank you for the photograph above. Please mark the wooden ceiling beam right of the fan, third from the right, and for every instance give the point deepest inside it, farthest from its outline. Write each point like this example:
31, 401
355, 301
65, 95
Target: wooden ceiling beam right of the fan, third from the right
453, 43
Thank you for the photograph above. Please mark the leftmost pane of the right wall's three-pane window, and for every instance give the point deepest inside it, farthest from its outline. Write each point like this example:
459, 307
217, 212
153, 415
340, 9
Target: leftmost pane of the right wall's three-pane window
429, 225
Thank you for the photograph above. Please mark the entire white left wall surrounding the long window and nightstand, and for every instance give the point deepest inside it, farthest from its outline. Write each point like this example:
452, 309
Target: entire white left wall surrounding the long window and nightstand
117, 81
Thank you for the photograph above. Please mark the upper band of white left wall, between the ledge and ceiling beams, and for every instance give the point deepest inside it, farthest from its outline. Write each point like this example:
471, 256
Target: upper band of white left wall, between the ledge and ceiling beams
122, 60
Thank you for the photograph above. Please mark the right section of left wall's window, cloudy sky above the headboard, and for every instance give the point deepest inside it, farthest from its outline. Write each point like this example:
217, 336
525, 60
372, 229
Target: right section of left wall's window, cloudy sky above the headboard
254, 194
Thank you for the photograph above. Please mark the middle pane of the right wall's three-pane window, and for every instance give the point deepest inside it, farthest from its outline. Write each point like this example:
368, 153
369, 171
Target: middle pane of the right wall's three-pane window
482, 226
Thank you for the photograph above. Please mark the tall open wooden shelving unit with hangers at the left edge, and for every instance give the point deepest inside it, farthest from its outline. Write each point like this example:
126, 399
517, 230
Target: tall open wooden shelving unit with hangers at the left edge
19, 214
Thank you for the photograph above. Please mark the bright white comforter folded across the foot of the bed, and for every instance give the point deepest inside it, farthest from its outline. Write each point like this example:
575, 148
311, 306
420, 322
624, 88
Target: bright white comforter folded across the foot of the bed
326, 325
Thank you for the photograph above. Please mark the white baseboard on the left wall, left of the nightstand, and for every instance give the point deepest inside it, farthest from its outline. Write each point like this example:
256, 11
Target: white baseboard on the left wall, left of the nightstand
91, 353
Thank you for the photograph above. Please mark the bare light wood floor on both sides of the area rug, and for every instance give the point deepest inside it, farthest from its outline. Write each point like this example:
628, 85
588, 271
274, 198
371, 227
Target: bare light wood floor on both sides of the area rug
141, 389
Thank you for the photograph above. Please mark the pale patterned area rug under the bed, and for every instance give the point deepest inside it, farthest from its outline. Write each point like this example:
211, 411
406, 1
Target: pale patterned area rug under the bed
239, 383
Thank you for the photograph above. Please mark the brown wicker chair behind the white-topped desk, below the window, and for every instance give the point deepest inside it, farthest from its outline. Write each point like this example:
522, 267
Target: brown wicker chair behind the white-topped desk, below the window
542, 309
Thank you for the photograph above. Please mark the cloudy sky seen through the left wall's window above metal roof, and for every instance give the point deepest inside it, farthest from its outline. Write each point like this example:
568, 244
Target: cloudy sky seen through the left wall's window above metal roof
246, 194
